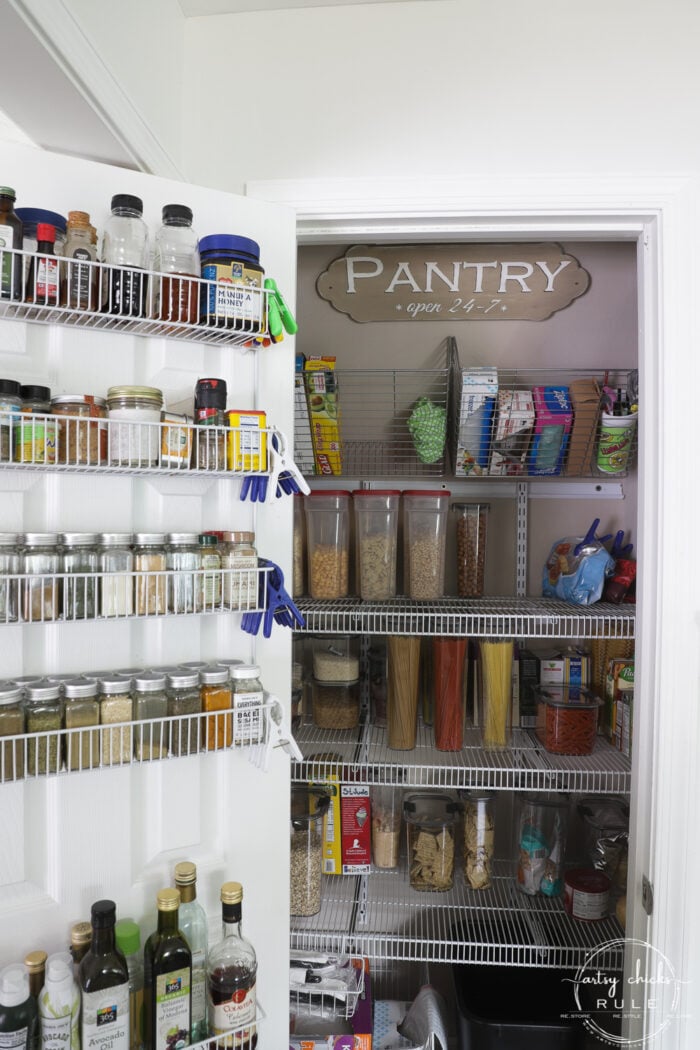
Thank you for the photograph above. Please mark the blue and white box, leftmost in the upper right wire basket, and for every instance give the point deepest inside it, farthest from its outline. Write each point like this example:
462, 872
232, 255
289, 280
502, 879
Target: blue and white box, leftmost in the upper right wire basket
480, 386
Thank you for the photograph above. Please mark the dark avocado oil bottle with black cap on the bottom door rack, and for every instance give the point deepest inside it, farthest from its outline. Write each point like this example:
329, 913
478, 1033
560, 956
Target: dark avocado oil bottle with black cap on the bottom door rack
104, 983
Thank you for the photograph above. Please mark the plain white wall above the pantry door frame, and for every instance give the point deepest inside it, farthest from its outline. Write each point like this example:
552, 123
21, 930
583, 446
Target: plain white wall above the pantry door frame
442, 88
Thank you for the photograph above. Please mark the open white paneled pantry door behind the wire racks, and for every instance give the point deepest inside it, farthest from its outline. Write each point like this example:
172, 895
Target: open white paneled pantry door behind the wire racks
69, 841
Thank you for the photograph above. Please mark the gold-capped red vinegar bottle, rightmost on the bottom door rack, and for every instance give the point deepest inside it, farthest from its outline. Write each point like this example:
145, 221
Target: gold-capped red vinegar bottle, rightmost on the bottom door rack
231, 974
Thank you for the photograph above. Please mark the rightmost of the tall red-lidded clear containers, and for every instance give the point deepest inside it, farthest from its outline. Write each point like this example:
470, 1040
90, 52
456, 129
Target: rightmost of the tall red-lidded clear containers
425, 533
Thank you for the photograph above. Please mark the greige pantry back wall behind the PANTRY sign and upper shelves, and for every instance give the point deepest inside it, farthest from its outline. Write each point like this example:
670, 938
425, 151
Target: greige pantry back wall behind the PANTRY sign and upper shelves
599, 330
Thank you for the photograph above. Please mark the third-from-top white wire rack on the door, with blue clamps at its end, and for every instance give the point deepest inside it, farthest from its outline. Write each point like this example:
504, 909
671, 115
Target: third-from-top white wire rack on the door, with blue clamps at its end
71, 598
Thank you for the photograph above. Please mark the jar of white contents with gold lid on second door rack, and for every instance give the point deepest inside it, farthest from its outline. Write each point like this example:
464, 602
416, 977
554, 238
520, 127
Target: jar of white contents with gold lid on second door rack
135, 426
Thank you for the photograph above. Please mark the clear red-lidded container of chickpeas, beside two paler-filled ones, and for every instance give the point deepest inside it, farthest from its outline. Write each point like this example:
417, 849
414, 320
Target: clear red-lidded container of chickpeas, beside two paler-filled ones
328, 543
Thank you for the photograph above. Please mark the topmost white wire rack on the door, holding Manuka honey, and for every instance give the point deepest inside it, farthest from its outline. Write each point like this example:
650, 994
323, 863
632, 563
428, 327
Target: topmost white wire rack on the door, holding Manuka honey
147, 304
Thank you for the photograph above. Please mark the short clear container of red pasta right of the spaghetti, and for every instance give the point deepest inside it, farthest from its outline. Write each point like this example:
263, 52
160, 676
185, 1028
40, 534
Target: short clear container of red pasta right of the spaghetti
567, 719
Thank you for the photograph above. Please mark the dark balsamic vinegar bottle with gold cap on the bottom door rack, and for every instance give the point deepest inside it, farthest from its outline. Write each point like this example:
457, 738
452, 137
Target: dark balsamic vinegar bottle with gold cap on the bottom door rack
167, 980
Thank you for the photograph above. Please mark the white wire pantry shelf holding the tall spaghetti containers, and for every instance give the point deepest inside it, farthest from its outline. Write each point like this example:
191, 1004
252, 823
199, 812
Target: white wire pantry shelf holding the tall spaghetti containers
365, 755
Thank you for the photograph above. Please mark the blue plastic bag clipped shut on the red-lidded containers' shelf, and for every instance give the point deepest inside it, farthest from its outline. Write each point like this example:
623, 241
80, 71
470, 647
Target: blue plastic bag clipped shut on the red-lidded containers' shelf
577, 569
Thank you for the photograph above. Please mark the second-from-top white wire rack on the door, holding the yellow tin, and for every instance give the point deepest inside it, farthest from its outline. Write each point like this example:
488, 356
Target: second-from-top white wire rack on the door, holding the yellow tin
70, 444
